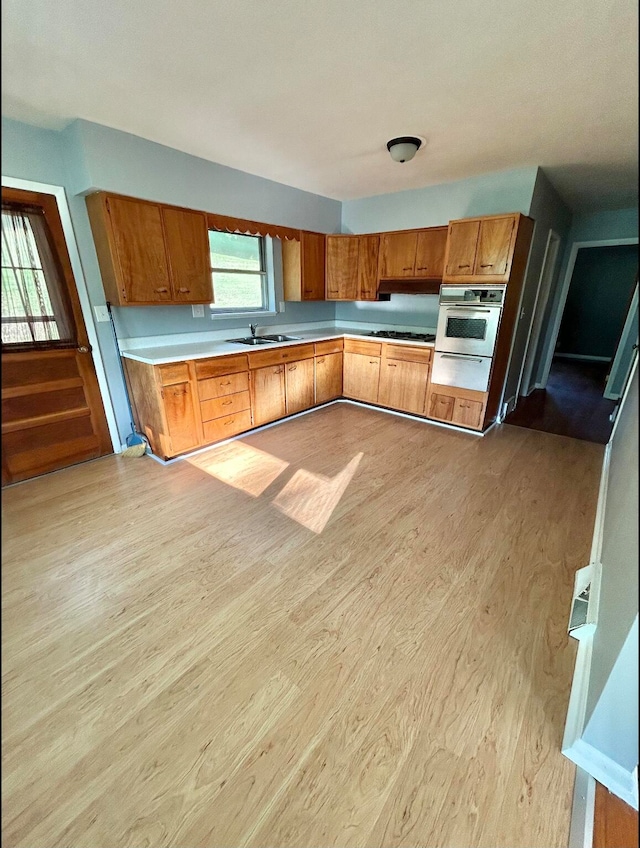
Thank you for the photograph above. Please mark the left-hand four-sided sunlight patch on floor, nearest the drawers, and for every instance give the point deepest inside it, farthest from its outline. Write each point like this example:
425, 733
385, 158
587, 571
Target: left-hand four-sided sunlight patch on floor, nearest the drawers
241, 466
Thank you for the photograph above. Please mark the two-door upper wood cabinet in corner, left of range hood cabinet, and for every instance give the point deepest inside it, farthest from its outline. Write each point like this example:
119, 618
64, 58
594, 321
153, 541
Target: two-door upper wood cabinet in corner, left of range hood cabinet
352, 267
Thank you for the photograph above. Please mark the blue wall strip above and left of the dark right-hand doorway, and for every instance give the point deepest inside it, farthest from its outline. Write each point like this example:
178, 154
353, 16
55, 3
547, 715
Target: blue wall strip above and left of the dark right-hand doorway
591, 226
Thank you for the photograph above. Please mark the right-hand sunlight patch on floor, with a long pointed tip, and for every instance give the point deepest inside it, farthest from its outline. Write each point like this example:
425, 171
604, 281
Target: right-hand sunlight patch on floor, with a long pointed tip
311, 498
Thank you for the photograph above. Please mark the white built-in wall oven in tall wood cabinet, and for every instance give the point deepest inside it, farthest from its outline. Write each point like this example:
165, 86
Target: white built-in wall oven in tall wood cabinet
468, 323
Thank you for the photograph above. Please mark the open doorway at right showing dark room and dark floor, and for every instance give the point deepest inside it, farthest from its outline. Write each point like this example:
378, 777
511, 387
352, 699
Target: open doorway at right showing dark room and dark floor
594, 330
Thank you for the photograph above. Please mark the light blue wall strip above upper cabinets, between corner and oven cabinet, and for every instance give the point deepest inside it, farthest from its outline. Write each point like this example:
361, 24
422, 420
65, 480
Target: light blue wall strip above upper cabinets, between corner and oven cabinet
433, 206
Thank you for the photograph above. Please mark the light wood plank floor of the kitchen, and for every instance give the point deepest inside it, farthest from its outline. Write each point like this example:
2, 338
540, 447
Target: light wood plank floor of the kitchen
349, 629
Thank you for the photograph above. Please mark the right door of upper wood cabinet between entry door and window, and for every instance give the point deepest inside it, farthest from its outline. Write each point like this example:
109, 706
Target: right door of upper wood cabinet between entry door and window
189, 259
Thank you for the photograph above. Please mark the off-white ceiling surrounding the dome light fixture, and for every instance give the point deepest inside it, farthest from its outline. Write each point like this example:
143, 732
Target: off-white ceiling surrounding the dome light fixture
309, 93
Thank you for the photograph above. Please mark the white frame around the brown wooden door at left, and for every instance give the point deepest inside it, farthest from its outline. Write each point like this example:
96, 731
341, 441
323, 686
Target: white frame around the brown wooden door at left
83, 294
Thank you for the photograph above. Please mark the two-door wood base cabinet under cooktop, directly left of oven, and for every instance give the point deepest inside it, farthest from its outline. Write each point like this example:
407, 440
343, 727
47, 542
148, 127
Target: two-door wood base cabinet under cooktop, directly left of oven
404, 376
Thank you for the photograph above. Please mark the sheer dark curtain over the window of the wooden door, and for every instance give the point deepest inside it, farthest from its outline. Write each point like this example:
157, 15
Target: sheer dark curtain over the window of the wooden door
35, 307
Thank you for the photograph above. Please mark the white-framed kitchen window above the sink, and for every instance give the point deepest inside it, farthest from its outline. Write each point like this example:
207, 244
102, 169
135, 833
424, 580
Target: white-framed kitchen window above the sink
242, 282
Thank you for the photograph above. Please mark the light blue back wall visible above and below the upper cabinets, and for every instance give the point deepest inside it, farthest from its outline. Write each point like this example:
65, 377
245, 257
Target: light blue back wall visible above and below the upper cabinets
505, 191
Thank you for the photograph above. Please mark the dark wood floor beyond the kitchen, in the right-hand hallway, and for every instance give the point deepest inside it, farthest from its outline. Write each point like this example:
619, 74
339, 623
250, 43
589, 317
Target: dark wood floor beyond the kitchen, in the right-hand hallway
571, 405
